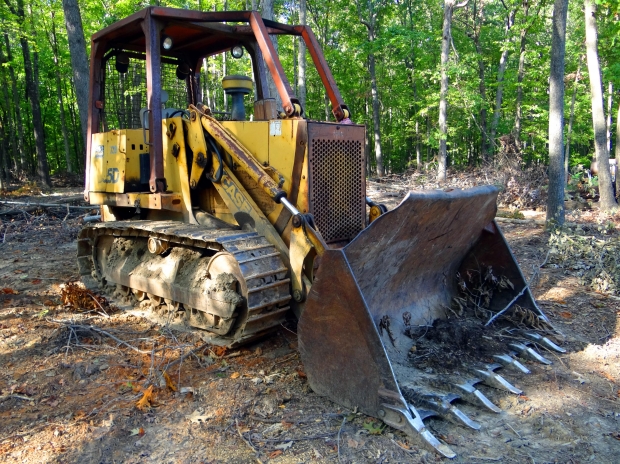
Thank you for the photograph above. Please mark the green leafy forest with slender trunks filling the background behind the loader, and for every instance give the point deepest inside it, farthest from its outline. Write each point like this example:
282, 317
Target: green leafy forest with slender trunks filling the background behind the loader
386, 53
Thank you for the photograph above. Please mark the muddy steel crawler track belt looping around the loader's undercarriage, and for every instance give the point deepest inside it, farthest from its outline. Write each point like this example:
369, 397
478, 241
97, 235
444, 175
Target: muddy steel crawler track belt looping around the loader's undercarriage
266, 292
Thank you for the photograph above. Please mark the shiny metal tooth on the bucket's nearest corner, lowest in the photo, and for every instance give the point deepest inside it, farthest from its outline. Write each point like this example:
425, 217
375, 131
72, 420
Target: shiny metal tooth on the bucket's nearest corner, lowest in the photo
409, 421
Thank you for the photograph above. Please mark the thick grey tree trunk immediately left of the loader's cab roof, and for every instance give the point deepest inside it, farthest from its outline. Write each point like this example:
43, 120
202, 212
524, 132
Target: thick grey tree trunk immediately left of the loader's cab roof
79, 60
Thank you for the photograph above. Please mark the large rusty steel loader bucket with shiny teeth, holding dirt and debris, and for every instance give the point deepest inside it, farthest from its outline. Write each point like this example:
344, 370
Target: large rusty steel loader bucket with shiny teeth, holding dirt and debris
399, 273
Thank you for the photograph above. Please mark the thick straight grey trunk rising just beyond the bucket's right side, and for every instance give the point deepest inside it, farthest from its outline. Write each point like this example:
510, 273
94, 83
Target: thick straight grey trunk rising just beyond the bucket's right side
555, 201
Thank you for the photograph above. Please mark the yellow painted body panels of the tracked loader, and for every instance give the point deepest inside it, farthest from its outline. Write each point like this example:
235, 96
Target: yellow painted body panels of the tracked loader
116, 167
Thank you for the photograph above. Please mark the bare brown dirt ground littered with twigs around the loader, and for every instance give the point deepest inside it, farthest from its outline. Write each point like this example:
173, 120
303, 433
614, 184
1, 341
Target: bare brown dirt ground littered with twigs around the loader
72, 381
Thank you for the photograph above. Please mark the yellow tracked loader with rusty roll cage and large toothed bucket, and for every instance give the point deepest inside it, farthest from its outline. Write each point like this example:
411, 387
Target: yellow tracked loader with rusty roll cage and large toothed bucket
236, 221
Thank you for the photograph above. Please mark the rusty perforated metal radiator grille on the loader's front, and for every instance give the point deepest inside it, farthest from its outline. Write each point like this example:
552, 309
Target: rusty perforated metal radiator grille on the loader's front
337, 187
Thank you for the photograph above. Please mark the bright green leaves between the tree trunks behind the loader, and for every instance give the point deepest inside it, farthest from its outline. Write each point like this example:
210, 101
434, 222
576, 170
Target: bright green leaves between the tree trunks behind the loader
407, 52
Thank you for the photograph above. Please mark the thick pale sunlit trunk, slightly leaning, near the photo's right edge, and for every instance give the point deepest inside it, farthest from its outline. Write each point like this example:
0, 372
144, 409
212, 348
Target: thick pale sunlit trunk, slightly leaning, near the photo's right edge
607, 201
